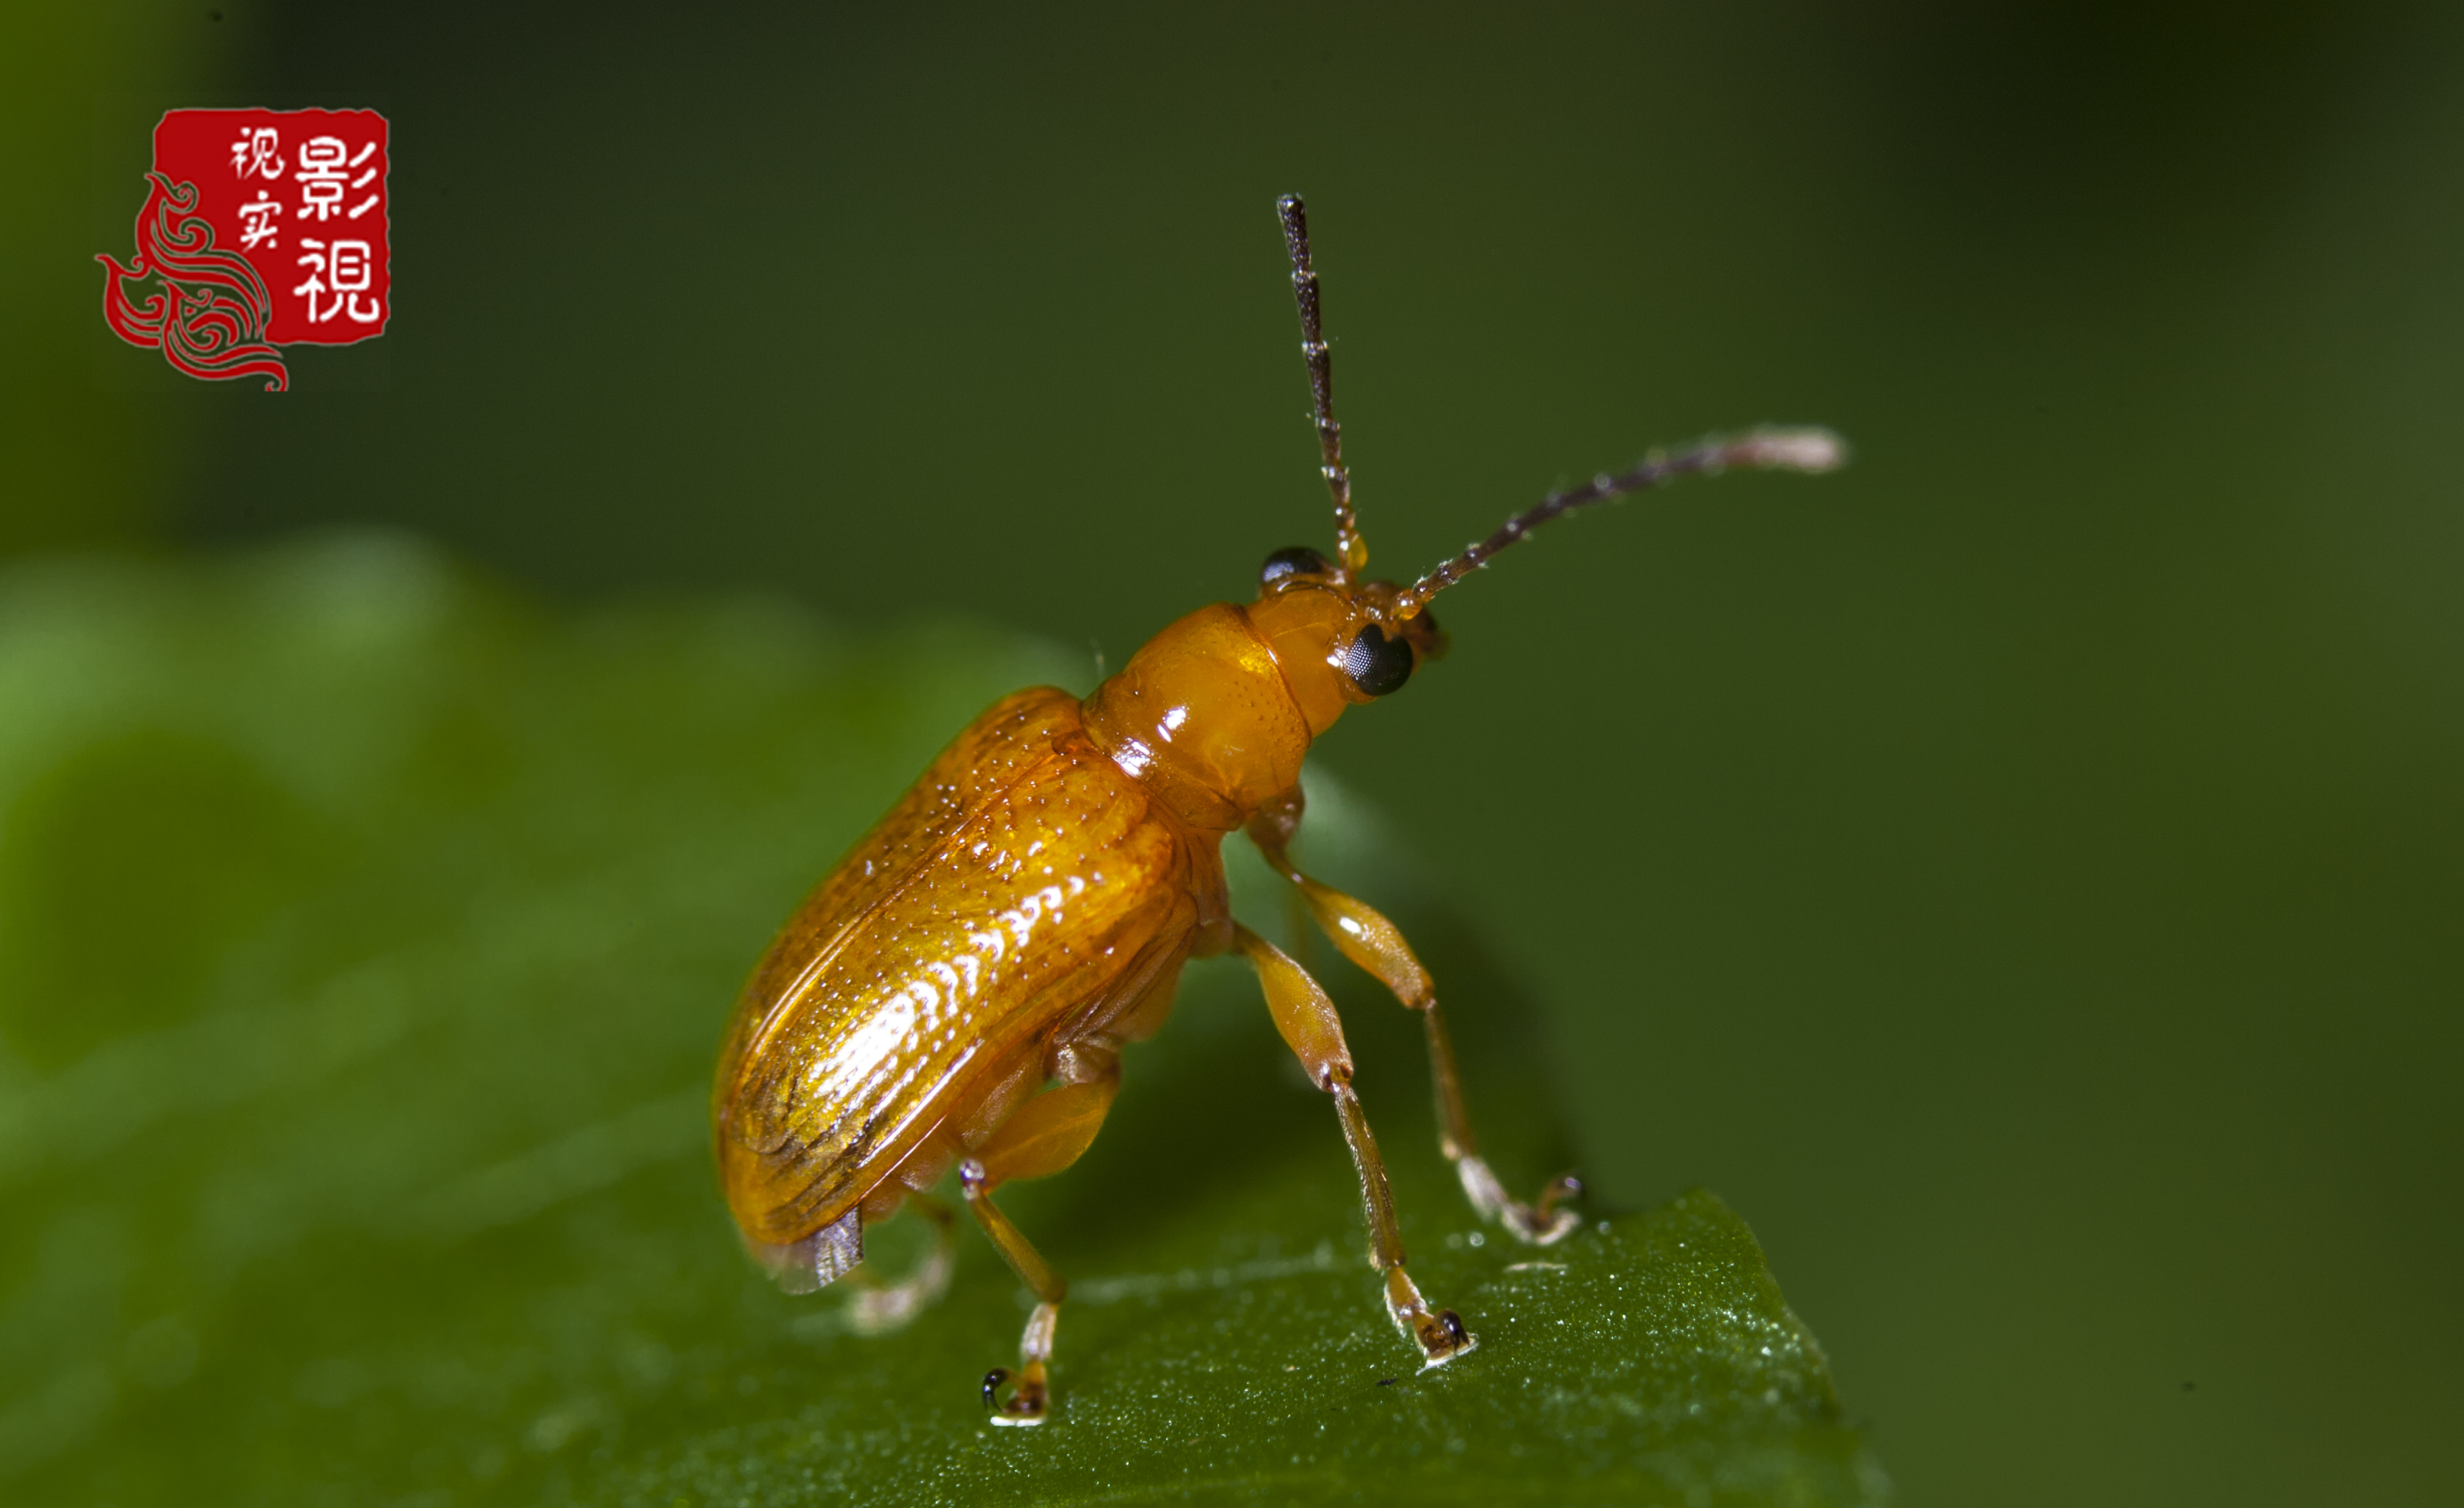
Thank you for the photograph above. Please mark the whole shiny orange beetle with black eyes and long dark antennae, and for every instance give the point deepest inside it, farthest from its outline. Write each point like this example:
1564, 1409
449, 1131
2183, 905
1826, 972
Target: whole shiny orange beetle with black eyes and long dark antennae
957, 992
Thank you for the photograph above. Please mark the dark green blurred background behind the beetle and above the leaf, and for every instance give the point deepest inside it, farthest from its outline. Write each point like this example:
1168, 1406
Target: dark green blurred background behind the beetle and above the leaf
2054, 819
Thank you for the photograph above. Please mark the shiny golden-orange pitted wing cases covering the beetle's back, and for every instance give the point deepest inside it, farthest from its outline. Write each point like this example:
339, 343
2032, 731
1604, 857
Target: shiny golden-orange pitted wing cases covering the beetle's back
1048, 876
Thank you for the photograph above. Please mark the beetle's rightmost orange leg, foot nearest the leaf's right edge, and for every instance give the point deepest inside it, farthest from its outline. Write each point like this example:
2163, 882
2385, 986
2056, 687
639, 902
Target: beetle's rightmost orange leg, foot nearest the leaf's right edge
1376, 945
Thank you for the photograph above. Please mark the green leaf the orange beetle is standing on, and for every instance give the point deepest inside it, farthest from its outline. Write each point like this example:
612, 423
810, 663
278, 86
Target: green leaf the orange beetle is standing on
363, 950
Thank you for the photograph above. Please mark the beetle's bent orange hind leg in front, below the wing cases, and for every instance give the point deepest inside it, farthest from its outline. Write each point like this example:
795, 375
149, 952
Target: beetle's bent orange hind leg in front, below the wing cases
1044, 1137
